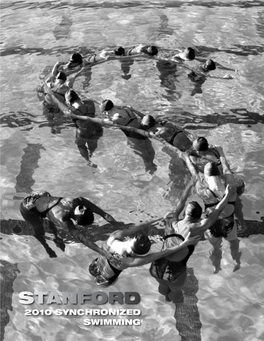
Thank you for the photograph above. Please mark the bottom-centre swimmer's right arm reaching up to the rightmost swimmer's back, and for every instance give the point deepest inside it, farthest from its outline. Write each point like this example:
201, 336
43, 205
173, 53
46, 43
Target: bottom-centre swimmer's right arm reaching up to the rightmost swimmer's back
204, 224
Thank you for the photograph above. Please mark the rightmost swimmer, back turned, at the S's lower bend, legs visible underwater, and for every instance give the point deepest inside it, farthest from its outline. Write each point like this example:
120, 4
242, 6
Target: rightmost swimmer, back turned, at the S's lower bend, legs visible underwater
211, 192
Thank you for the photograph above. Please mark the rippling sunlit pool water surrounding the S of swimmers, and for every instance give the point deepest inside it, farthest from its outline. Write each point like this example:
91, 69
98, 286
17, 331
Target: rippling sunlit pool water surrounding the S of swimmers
38, 152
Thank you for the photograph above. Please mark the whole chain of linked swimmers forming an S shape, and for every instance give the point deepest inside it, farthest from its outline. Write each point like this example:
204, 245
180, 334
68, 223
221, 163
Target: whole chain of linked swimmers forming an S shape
211, 176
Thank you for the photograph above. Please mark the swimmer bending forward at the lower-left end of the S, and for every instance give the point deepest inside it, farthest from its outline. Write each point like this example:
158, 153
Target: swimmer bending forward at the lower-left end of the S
65, 214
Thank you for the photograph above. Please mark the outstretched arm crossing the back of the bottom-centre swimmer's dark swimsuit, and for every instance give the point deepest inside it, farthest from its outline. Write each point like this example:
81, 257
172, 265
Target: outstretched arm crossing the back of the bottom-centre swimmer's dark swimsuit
138, 261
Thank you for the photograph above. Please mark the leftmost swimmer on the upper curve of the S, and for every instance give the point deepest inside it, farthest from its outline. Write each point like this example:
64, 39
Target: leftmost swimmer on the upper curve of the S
58, 86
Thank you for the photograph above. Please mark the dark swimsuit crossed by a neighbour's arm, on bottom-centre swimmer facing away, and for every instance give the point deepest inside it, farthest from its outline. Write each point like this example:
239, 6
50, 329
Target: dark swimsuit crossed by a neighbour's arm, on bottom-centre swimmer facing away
169, 270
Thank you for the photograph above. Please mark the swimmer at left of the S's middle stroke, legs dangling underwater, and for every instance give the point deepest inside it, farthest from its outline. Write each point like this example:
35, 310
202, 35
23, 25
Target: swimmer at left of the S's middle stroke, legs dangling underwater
87, 132
